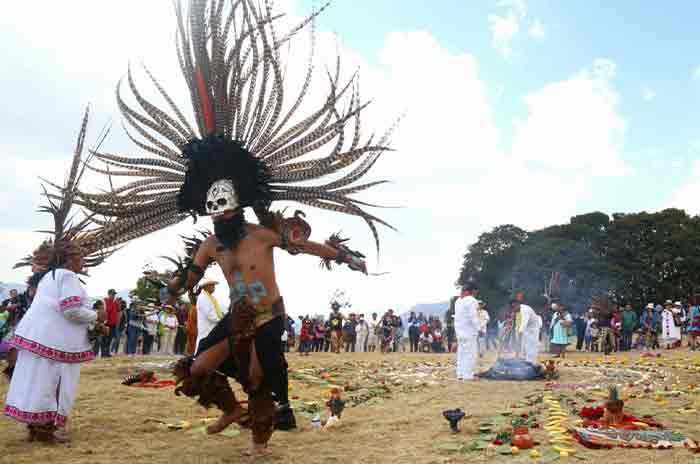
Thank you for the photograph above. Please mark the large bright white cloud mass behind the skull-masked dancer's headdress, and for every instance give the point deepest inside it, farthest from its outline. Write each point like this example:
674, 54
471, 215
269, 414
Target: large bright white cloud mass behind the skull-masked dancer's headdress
450, 152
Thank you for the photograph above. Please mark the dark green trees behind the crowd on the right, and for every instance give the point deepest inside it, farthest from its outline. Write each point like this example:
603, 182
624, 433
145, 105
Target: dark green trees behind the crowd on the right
637, 258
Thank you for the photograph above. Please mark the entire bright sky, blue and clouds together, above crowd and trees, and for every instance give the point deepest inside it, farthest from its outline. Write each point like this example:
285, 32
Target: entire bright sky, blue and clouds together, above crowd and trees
517, 111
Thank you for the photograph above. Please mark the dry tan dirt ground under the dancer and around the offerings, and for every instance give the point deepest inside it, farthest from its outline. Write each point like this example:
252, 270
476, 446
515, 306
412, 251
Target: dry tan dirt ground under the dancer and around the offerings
112, 422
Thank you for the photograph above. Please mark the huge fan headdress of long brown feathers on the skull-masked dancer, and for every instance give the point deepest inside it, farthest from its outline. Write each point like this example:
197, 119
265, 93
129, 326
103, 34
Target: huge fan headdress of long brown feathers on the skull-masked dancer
244, 129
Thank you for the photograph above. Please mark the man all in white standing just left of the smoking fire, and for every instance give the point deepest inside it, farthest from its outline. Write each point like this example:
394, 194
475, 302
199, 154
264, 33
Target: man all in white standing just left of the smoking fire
467, 331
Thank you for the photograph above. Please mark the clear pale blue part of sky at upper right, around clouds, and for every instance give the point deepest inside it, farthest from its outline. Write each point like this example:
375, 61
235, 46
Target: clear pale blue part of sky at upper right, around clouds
653, 45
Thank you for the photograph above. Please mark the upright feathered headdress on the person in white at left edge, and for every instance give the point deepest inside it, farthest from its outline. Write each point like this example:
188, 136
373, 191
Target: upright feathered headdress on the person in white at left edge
68, 236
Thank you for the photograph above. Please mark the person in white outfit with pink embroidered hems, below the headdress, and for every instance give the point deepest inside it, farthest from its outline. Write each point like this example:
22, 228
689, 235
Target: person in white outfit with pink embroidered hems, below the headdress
52, 342
